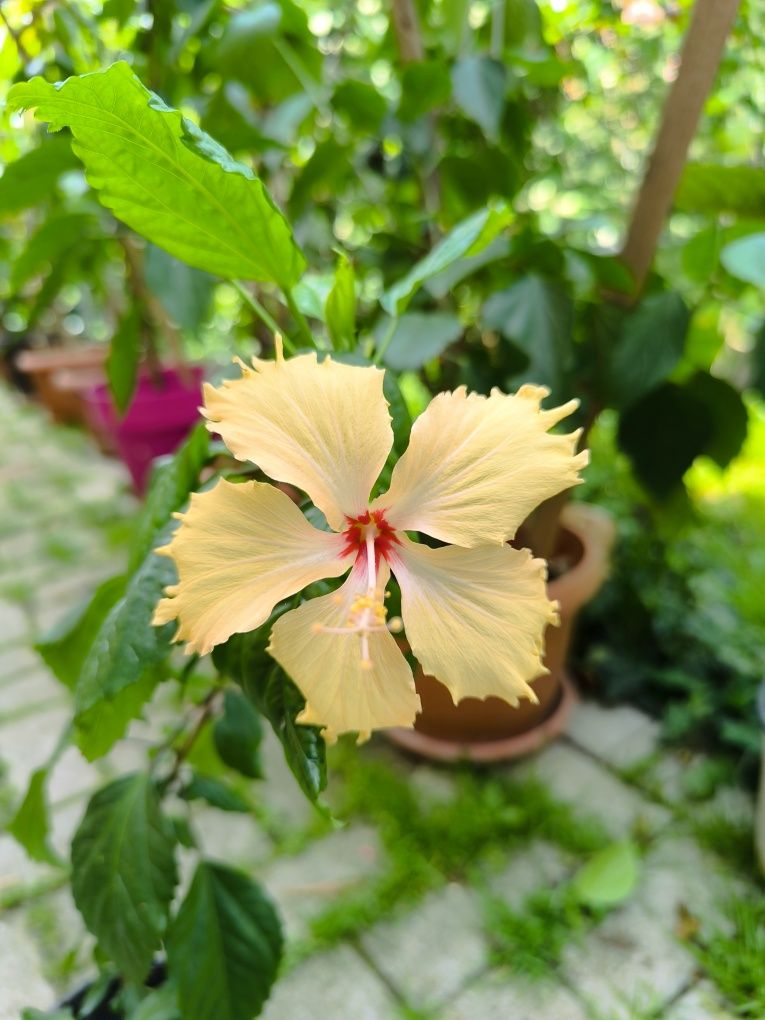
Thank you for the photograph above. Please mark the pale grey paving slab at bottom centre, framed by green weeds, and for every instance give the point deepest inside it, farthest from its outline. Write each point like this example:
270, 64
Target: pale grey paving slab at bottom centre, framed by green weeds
429, 954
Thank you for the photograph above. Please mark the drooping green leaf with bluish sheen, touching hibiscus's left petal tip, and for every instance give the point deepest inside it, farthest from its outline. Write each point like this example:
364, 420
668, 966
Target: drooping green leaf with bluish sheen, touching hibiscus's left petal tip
124, 658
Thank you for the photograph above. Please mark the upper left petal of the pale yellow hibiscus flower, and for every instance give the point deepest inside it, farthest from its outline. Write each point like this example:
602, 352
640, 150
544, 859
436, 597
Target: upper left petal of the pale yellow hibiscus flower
323, 428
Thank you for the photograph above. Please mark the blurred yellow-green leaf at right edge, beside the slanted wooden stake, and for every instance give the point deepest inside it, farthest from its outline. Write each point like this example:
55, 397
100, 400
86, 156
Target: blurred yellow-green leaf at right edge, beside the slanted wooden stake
709, 188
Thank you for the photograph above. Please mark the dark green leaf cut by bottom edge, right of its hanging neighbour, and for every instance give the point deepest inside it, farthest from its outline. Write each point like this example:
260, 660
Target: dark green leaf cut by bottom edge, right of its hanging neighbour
224, 947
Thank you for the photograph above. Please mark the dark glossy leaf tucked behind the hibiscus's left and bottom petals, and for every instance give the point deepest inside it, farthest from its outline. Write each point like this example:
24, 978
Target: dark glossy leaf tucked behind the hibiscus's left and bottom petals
244, 659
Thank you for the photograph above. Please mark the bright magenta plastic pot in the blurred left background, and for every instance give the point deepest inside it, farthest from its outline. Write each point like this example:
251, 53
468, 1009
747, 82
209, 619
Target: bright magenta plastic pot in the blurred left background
162, 415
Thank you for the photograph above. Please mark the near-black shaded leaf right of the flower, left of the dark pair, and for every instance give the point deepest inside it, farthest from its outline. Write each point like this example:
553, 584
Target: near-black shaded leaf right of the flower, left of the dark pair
664, 433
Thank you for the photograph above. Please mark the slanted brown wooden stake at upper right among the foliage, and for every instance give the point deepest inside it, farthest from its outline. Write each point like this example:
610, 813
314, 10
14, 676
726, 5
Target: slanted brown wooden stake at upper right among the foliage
710, 25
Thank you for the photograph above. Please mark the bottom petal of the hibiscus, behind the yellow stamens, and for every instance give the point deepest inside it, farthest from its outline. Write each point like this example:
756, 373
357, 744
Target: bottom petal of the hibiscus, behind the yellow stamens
342, 695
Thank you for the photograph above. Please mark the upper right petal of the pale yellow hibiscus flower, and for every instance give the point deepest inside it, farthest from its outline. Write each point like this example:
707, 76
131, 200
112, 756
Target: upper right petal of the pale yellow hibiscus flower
477, 467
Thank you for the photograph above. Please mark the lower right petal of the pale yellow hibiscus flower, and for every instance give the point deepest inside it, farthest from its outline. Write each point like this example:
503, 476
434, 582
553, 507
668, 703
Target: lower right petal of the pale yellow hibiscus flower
476, 619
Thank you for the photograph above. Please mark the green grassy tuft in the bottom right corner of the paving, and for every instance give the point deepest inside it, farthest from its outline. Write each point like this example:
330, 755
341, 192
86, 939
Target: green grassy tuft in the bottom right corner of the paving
734, 959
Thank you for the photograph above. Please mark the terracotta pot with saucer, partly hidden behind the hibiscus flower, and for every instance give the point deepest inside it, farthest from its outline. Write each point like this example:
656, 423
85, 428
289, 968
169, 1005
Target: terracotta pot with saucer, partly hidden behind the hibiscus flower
492, 730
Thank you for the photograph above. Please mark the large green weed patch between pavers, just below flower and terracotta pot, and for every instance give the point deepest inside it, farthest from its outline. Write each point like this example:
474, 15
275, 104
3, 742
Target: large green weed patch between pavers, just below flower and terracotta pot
432, 845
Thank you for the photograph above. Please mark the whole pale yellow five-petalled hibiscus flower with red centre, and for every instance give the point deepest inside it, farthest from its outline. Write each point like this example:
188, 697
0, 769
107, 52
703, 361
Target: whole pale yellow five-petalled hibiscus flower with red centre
475, 610
